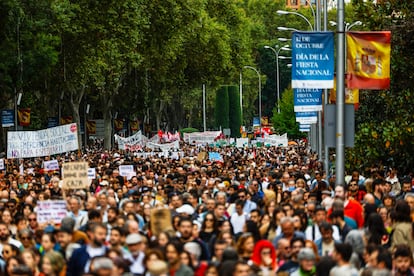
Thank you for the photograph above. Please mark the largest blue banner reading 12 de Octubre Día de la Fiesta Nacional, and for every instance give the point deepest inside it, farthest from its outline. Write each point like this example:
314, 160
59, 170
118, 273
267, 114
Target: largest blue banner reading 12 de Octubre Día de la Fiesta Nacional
313, 60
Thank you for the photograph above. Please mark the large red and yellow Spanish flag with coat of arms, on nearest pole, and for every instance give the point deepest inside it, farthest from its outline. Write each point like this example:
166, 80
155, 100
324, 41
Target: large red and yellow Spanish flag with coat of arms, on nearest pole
368, 60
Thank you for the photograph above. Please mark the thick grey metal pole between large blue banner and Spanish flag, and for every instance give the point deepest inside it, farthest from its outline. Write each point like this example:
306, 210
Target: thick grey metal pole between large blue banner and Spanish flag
340, 95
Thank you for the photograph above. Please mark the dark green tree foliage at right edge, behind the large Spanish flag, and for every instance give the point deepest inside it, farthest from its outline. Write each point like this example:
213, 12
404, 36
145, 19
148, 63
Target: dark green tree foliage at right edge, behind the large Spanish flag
384, 120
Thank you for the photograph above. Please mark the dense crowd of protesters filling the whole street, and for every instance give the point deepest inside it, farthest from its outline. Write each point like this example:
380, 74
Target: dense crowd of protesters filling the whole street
257, 211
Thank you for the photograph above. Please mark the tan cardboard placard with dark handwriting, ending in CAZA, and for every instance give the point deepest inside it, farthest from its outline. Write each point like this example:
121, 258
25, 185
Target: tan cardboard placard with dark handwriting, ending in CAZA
75, 175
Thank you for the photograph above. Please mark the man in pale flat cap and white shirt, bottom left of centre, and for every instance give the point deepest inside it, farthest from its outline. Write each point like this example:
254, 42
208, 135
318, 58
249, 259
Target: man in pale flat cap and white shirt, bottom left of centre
135, 256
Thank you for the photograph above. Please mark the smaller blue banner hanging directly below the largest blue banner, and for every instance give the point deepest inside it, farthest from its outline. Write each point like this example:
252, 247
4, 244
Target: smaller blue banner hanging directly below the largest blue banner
307, 99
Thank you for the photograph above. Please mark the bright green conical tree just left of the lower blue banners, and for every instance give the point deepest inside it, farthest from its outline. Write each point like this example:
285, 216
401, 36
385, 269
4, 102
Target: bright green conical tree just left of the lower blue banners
285, 121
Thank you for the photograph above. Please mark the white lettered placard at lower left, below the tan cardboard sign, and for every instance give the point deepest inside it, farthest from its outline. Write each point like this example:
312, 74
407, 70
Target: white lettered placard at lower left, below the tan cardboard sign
51, 211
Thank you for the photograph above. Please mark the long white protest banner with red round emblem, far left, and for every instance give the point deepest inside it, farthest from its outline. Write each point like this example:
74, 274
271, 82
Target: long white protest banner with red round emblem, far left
26, 144
